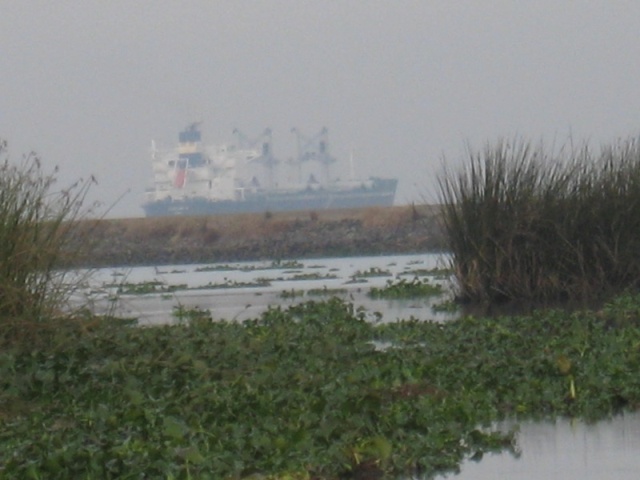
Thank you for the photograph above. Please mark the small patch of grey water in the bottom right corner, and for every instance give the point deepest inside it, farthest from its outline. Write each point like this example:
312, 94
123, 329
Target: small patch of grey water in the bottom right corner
566, 450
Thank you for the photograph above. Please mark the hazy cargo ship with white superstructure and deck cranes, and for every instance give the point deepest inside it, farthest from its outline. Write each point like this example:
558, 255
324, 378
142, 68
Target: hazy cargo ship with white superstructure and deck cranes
245, 177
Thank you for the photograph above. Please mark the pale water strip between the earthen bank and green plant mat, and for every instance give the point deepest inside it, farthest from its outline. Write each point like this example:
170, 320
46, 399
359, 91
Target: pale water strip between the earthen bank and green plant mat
202, 286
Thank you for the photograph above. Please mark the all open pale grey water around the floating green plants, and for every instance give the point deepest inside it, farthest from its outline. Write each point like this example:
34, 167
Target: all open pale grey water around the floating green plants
564, 449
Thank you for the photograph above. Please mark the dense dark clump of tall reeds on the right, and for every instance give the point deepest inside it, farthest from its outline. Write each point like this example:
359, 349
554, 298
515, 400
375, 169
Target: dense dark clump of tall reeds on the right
524, 224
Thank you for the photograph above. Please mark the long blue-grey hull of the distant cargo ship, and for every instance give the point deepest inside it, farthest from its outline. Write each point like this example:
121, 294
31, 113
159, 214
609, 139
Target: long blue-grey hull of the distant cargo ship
381, 194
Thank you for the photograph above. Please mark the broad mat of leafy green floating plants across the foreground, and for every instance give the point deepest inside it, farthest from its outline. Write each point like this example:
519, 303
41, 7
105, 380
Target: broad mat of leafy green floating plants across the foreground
205, 399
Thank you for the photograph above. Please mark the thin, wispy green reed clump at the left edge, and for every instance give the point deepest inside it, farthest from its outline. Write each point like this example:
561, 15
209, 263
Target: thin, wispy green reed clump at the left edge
37, 223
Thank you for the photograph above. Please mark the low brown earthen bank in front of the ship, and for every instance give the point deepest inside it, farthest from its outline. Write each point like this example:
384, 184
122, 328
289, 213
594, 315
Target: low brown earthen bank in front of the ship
168, 240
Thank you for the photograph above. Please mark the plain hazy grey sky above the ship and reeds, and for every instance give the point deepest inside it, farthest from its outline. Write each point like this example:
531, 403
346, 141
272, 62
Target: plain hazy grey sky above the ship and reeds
88, 84
